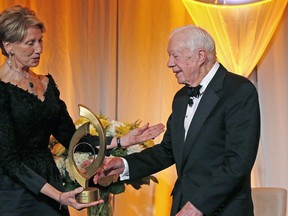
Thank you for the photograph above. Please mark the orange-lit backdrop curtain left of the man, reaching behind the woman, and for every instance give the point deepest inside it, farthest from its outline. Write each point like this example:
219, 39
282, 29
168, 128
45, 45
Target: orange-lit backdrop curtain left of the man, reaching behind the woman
110, 55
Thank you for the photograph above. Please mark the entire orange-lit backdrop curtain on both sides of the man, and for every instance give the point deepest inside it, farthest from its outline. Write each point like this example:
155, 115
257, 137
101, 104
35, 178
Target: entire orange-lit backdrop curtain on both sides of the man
110, 55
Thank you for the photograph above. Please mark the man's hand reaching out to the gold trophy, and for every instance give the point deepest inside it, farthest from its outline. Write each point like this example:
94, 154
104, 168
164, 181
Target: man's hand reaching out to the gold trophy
109, 171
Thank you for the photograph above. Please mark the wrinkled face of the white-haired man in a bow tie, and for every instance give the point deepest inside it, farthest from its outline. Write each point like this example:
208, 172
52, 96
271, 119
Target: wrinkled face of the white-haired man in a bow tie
182, 60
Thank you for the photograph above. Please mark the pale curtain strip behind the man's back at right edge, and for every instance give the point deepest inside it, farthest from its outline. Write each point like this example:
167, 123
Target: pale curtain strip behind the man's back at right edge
273, 90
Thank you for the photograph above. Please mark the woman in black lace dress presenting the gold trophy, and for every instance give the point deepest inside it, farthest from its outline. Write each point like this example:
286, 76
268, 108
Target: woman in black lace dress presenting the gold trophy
31, 111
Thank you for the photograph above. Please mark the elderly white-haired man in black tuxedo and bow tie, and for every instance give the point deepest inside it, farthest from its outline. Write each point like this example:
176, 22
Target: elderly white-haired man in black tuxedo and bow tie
212, 133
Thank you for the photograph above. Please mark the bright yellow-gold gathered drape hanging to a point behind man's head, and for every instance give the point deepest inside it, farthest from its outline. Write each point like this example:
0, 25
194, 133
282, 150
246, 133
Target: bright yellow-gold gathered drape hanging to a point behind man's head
242, 32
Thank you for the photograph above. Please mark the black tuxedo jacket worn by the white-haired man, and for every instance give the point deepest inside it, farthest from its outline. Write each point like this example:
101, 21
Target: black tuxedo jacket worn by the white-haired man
214, 163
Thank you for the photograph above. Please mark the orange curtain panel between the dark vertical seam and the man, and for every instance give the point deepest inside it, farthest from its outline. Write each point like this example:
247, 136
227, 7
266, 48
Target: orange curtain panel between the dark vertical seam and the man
146, 87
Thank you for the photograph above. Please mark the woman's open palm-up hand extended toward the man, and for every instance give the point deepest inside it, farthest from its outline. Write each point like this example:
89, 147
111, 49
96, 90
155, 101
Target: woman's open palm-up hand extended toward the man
142, 134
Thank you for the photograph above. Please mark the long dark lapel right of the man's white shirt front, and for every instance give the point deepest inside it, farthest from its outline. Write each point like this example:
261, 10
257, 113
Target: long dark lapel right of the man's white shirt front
206, 105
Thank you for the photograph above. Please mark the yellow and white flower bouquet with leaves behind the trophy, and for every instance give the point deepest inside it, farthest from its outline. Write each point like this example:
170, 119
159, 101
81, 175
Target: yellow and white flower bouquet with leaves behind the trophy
112, 128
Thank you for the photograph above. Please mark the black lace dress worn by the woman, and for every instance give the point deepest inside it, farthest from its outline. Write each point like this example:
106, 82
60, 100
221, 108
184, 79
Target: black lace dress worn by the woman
26, 163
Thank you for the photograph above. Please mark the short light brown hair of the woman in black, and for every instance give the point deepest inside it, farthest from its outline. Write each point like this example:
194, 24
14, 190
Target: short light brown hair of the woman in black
14, 23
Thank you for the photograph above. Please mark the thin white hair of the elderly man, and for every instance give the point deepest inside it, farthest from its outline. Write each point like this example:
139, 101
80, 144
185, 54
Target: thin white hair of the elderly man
196, 38
